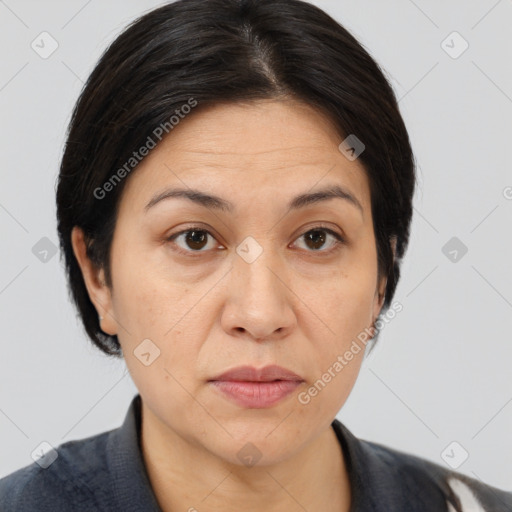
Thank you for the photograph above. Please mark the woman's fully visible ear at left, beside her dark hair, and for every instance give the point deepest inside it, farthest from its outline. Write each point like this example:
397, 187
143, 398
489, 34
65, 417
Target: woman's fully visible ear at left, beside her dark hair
94, 278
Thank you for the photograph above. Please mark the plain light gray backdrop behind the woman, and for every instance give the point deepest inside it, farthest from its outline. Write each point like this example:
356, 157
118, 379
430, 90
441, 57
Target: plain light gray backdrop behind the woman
441, 371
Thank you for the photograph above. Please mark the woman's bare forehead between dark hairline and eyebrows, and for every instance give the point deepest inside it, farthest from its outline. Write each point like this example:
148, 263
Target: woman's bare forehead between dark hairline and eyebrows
269, 148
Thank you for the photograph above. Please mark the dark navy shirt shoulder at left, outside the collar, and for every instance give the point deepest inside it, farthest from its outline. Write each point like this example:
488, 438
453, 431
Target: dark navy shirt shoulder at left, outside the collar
69, 477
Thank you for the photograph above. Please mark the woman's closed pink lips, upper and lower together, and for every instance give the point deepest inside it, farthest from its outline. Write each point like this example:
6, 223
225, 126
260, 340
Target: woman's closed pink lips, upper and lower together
257, 388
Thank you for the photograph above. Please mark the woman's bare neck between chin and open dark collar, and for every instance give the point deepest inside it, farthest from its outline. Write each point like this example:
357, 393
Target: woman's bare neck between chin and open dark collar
186, 477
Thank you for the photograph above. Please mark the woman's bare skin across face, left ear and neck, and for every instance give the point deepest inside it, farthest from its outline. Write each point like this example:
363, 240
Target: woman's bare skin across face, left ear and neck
297, 305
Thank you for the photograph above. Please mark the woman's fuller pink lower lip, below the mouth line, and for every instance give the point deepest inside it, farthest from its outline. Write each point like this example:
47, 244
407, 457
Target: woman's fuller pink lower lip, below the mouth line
256, 395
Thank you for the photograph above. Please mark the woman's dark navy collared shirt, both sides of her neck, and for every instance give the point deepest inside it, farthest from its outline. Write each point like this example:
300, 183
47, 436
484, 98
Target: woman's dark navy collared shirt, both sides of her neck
106, 472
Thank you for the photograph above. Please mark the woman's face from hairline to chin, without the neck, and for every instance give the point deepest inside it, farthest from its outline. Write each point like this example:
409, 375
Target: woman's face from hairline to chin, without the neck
258, 283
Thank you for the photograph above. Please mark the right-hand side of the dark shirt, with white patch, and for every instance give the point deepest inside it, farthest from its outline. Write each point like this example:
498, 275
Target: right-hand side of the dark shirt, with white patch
384, 478
